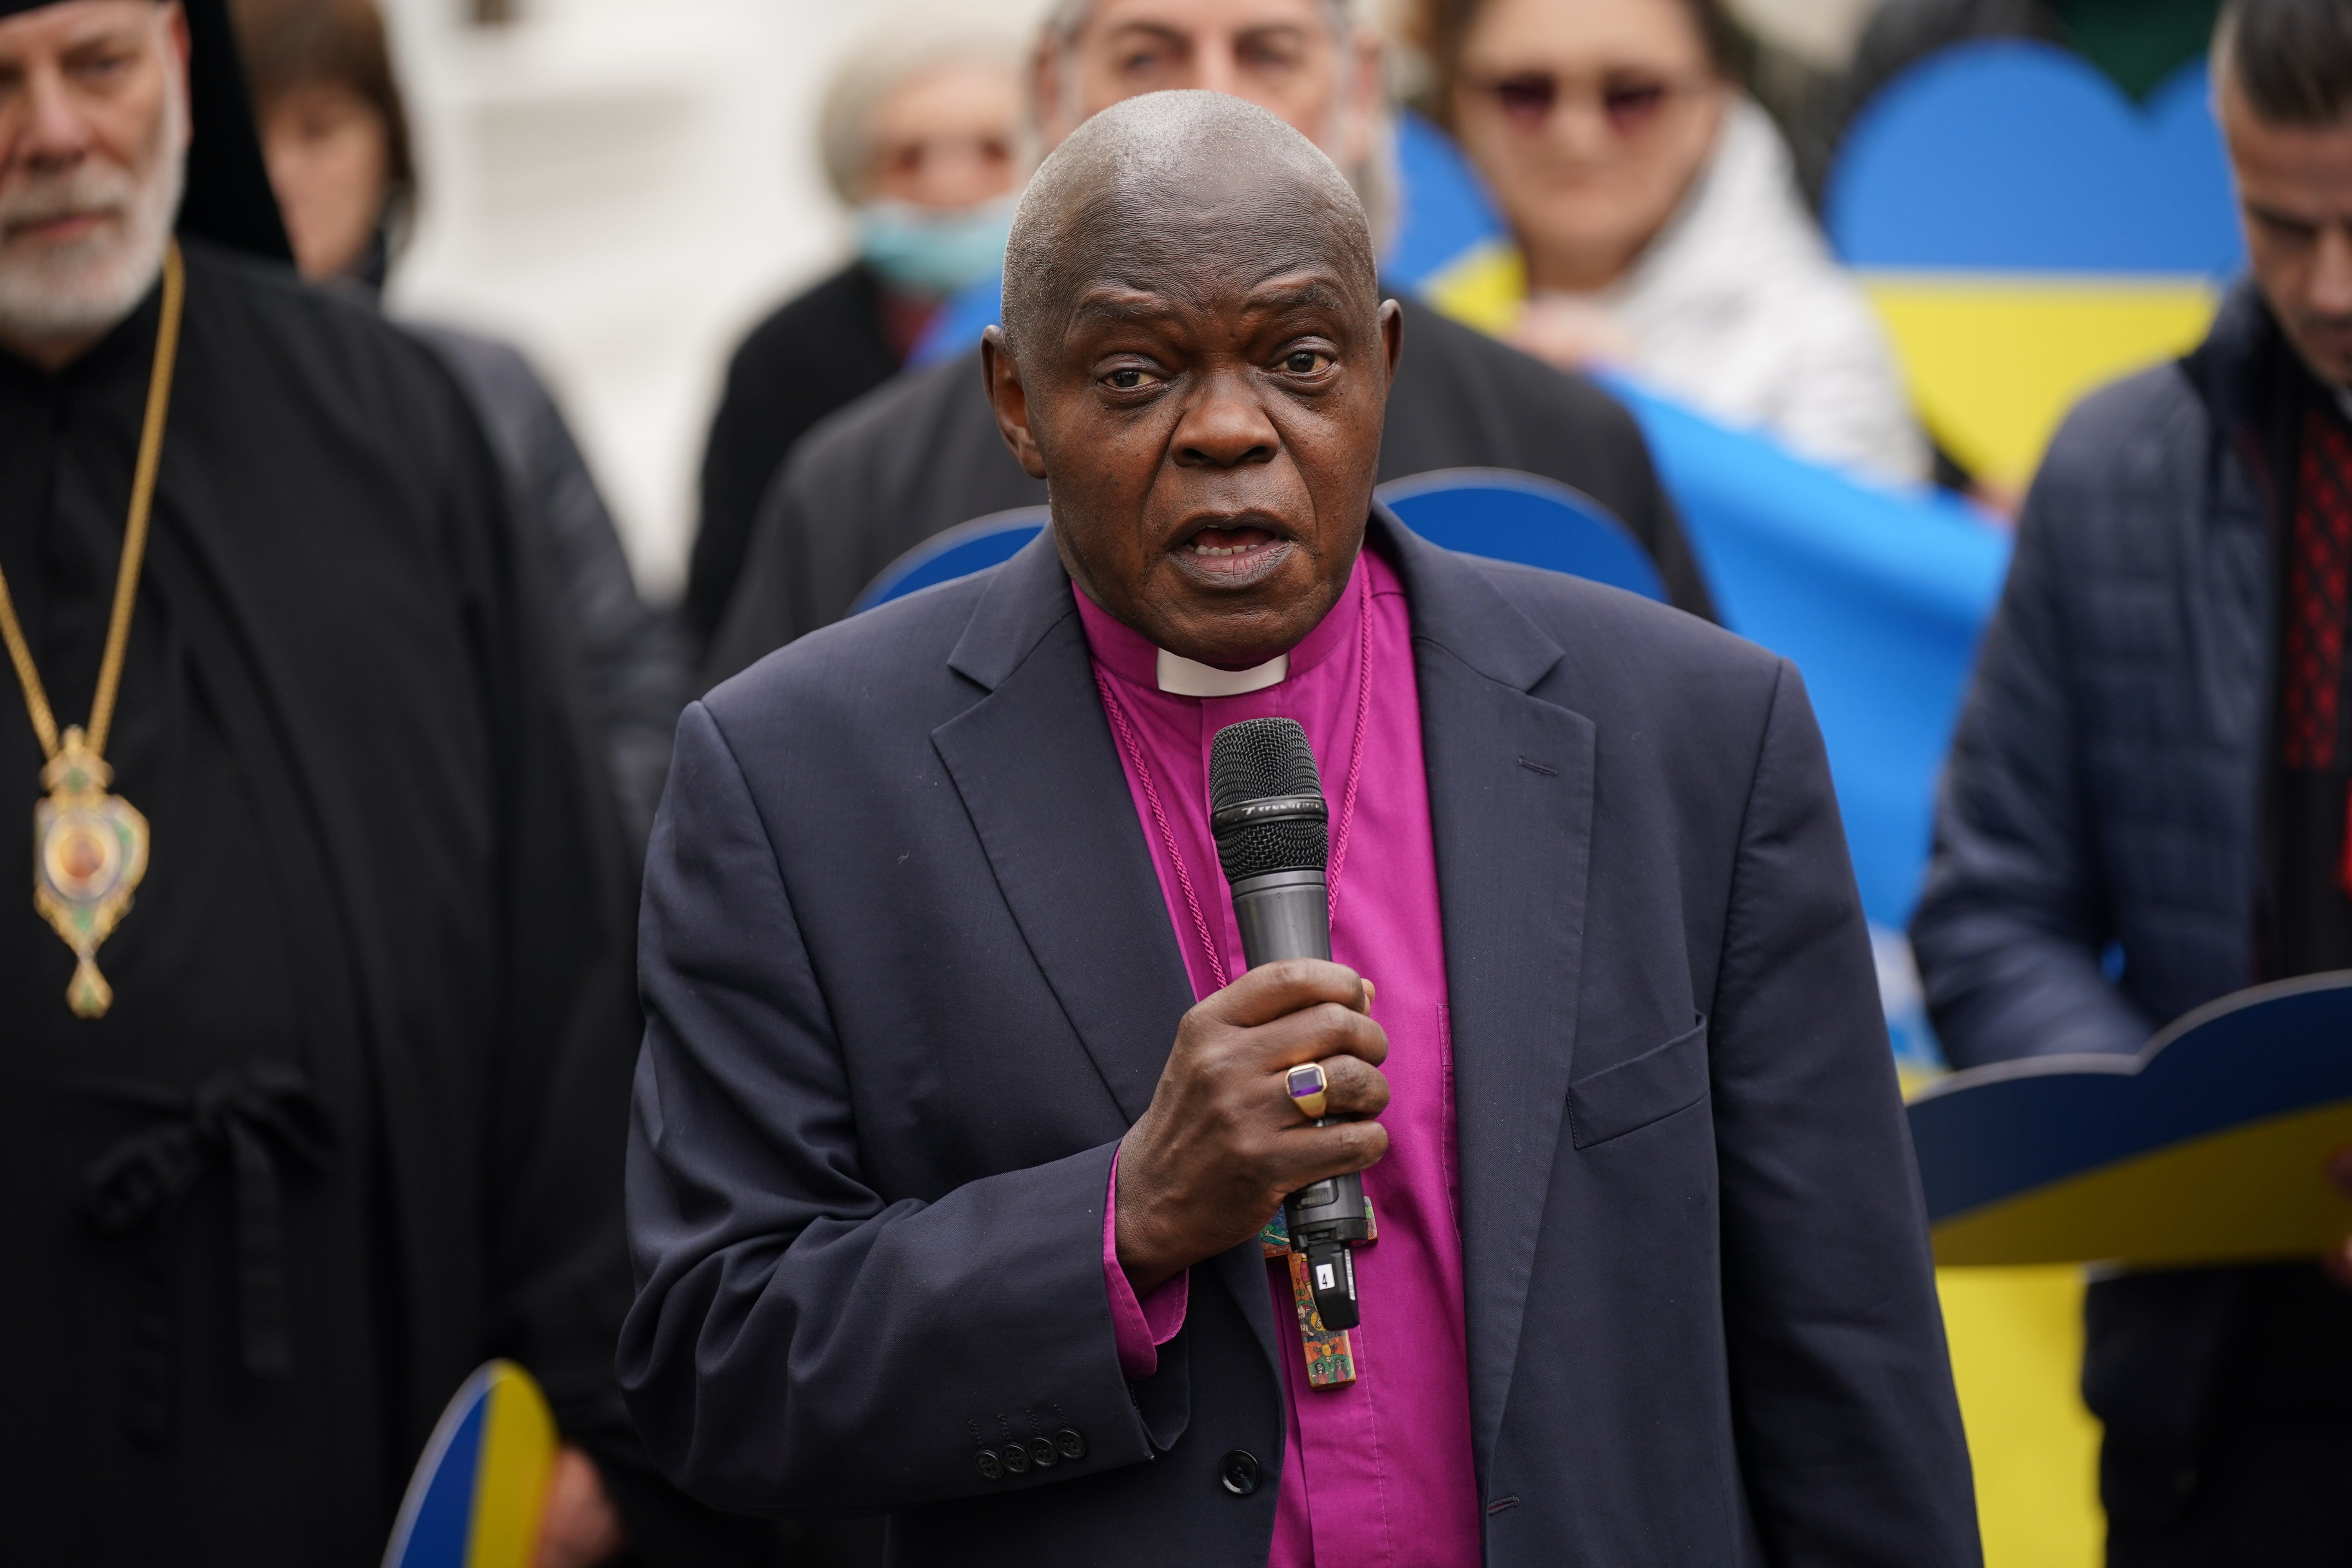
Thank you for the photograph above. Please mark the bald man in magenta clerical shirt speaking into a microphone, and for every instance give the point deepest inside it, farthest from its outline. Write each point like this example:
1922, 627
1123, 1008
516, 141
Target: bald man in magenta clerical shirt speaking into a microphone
965, 1127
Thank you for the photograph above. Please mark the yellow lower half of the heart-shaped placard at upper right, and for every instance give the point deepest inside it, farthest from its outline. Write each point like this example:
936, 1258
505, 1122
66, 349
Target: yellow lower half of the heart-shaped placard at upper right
1996, 363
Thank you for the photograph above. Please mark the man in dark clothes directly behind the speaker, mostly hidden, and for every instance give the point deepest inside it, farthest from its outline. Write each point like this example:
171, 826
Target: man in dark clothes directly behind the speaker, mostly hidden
921, 455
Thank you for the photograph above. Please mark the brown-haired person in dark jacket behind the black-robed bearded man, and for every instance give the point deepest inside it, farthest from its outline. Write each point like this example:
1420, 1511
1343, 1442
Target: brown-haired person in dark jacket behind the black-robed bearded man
338, 145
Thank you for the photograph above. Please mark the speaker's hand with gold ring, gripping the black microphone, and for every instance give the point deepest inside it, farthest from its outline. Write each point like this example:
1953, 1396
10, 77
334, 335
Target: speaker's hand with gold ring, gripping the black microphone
1224, 1141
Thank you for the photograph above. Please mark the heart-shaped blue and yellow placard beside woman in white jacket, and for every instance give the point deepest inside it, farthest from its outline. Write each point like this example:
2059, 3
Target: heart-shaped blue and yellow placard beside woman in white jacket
2029, 234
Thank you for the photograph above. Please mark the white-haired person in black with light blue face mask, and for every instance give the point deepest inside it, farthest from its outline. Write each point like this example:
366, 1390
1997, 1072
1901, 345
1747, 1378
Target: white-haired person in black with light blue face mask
923, 140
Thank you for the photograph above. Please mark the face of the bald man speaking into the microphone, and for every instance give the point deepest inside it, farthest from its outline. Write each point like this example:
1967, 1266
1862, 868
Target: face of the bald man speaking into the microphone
1210, 417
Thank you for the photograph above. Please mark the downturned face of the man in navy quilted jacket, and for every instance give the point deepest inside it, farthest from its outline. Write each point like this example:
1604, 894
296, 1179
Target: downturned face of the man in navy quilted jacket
2294, 192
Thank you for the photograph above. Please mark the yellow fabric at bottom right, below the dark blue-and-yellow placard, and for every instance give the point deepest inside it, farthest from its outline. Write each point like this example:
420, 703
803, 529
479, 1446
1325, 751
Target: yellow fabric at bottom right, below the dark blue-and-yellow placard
2017, 1360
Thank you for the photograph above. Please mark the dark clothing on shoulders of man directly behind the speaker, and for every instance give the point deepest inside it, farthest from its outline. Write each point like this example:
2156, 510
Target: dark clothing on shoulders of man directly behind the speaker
923, 455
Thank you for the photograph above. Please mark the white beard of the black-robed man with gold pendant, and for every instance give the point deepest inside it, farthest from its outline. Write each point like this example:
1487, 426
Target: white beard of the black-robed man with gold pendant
88, 286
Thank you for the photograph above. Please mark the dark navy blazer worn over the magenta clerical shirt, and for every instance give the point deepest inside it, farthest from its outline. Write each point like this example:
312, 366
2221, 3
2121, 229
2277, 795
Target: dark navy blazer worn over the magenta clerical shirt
909, 979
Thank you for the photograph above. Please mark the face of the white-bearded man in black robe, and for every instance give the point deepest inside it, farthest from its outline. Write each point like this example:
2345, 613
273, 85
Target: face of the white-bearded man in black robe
93, 133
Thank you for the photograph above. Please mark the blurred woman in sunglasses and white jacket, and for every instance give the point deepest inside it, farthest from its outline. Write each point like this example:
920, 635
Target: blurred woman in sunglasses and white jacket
1659, 220
